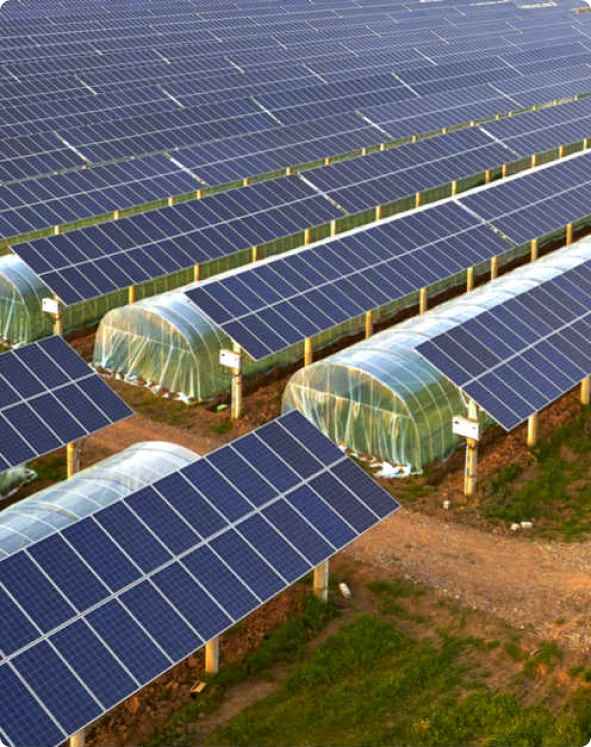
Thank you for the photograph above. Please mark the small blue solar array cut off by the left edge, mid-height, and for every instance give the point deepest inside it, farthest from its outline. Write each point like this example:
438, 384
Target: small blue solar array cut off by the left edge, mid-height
49, 397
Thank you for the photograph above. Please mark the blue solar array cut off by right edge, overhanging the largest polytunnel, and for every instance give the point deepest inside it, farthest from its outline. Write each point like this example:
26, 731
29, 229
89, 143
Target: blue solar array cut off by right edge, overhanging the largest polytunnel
522, 354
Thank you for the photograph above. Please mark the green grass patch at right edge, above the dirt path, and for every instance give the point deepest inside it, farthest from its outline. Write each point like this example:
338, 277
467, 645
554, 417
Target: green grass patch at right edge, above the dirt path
559, 491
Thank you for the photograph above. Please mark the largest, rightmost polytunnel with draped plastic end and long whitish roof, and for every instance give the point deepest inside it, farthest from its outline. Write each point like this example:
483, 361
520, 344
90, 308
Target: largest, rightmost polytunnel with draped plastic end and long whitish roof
380, 398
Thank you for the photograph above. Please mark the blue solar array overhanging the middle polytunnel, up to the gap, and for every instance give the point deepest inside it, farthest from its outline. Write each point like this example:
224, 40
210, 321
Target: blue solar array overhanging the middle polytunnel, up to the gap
270, 307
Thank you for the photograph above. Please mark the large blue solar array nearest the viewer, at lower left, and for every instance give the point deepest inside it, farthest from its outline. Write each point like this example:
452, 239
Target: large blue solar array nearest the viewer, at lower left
95, 613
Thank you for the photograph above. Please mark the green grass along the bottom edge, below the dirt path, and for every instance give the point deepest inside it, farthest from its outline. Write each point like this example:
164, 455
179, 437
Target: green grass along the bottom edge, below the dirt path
369, 684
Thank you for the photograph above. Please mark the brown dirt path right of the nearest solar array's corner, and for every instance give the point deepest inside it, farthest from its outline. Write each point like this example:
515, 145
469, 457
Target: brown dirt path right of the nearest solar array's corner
532, 585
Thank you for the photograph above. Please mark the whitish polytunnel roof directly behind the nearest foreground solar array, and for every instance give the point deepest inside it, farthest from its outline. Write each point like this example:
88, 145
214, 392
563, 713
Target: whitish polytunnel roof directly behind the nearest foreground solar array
62, 504
